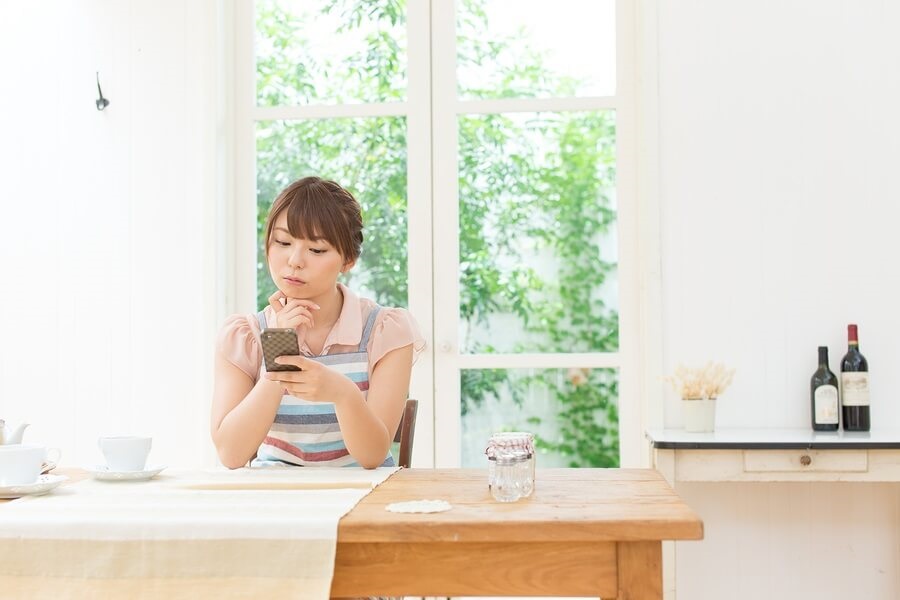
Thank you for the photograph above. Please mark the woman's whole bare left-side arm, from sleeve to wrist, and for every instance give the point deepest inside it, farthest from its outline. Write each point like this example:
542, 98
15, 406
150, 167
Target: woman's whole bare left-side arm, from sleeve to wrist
241, 412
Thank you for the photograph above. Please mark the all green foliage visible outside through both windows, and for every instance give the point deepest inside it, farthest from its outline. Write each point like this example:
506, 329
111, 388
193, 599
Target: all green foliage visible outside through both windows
532, 185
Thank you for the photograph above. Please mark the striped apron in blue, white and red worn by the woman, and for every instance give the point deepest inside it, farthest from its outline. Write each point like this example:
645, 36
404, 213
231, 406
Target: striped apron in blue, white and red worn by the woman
307, 433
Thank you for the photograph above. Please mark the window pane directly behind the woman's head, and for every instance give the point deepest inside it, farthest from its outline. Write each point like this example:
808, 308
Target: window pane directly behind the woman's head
368, 157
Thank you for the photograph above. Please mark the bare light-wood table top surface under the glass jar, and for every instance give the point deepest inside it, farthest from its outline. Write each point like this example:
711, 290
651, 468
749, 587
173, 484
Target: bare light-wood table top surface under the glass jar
567, 505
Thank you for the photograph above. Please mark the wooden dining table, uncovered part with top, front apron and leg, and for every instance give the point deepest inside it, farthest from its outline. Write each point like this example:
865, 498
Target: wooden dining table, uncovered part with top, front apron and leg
583, 532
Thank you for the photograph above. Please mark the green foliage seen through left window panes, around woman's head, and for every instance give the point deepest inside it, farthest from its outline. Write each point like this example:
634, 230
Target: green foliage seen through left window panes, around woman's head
367, 156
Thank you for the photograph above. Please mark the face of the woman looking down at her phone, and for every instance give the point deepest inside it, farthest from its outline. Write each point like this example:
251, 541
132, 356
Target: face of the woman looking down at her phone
302, 268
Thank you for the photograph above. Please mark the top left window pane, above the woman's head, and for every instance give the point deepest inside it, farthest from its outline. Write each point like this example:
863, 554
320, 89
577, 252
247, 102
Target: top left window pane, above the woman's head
330, 51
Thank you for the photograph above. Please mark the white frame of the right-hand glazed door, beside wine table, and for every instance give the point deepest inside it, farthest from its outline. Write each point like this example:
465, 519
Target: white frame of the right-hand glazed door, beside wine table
449, 362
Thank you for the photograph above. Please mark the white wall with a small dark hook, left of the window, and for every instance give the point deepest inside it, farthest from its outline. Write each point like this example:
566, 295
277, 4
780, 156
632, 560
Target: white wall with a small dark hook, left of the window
107, 223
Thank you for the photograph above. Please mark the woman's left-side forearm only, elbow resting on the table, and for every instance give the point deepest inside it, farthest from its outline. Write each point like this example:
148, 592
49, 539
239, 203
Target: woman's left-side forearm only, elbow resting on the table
243, 429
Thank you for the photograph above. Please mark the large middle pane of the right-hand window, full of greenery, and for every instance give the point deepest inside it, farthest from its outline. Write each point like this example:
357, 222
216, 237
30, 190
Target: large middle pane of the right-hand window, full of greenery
538, 248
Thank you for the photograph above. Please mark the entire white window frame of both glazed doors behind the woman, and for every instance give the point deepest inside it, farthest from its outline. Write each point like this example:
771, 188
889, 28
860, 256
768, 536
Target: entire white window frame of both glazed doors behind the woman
431, 110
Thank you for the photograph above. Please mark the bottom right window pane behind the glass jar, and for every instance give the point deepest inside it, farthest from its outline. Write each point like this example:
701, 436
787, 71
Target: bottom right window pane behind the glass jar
572, 412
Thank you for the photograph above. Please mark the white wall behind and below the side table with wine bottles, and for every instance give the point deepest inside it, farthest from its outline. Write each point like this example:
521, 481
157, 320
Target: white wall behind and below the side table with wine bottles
779, 140
